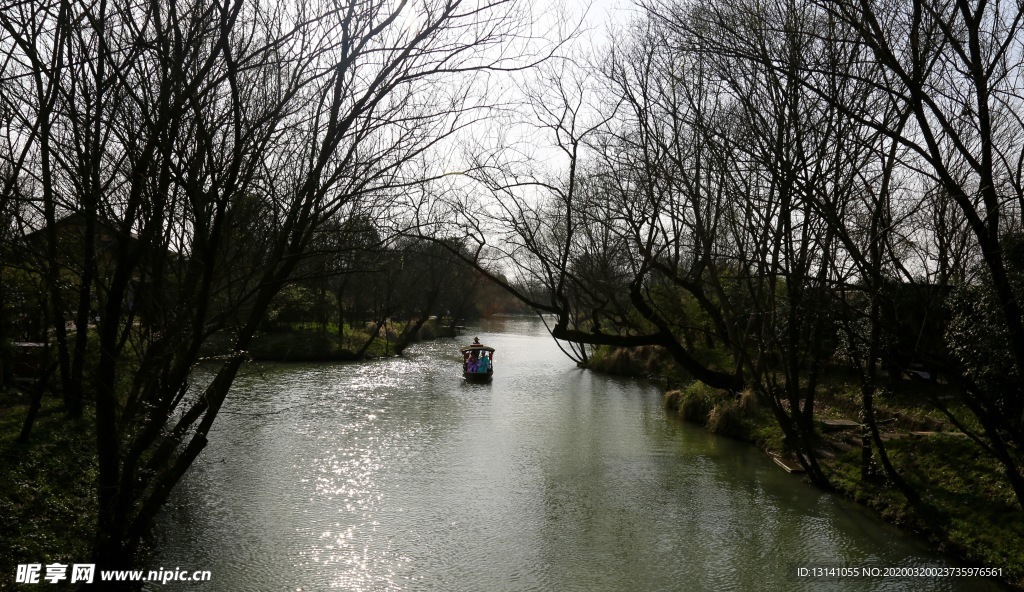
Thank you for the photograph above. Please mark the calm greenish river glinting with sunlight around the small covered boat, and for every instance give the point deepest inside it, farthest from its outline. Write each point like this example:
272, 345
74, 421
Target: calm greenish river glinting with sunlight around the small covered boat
397, 475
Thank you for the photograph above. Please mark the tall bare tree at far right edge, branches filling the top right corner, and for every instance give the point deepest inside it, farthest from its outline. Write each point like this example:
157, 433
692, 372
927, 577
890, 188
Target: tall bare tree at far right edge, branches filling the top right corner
955, 70
